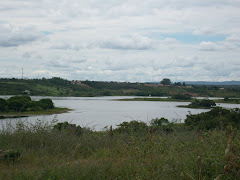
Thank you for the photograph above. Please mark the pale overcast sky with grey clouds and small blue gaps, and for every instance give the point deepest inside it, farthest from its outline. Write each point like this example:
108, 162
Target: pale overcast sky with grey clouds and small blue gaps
121, 40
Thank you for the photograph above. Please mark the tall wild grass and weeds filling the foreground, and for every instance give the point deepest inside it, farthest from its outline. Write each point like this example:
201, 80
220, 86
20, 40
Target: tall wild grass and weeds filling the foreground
146, 154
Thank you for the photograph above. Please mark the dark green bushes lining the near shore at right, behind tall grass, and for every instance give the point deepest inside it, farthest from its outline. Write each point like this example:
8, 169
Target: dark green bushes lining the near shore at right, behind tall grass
217, 118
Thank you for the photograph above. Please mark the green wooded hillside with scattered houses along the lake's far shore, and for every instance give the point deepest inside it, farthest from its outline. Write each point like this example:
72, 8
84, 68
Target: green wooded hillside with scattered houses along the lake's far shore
61, 87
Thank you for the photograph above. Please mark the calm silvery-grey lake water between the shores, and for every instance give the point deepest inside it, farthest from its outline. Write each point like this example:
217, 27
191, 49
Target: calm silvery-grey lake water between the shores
99, 112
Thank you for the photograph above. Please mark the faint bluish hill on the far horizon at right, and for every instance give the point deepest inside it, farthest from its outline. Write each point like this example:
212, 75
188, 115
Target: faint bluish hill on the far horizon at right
224, 83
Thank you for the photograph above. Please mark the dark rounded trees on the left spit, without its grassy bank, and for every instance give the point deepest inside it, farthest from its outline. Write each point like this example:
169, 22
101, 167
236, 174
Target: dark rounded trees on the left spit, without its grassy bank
24, 103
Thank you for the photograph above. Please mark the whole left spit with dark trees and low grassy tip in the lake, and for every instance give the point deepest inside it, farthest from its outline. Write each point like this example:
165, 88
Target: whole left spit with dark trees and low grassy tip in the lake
23, 105
